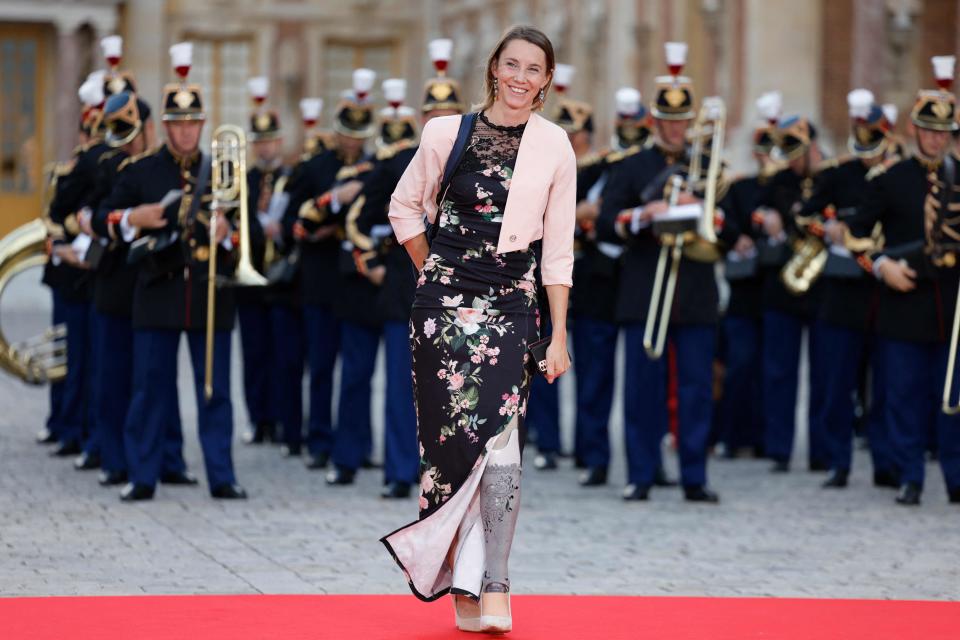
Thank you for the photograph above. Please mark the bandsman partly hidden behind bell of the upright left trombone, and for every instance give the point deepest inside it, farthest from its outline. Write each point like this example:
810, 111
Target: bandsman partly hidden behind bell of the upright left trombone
253, 309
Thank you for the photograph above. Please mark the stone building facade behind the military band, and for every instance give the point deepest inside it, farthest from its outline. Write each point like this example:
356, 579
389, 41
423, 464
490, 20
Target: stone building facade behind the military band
814, 51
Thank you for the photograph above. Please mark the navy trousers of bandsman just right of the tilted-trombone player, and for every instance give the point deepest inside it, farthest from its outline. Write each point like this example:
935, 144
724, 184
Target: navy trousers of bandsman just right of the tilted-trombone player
741, 409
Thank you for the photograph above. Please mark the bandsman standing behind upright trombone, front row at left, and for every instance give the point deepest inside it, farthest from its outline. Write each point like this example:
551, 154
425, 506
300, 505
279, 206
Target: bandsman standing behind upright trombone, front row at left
172, 247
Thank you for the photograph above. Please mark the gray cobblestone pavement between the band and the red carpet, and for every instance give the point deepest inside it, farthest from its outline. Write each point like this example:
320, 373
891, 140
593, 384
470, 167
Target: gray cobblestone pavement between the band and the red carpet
62, 534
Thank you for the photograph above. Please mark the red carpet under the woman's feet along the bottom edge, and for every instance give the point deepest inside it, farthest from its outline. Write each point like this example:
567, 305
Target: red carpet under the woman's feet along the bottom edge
403, 617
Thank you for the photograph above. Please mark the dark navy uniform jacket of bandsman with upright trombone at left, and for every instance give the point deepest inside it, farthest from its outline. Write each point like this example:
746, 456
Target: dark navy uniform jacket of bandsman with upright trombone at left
171, 289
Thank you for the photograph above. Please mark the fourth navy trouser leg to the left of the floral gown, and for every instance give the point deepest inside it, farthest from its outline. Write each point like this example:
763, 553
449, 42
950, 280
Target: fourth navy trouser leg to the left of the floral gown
286, 376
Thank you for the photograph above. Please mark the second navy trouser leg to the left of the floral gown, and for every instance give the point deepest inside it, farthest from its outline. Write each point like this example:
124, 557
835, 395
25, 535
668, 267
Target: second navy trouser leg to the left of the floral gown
353, 439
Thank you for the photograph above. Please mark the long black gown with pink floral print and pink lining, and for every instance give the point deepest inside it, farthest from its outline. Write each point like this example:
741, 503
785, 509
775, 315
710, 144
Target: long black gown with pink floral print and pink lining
474, 314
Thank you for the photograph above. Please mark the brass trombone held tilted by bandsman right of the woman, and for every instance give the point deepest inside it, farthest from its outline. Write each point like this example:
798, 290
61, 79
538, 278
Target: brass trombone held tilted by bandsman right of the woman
695, 238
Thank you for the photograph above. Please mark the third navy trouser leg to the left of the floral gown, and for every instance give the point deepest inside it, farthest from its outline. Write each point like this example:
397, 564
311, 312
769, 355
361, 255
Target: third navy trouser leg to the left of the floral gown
322, 331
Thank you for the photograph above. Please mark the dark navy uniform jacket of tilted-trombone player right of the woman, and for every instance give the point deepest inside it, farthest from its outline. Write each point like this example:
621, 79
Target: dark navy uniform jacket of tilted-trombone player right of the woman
697, 297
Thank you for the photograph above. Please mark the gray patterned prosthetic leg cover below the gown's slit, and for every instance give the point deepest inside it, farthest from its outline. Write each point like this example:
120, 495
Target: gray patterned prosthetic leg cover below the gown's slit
499, 507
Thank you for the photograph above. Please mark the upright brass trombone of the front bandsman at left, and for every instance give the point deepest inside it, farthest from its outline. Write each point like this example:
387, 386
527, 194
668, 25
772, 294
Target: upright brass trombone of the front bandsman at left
229, 187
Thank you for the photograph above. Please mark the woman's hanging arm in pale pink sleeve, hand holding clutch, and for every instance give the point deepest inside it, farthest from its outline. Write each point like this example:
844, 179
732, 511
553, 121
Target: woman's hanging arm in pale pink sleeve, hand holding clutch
559, 221
